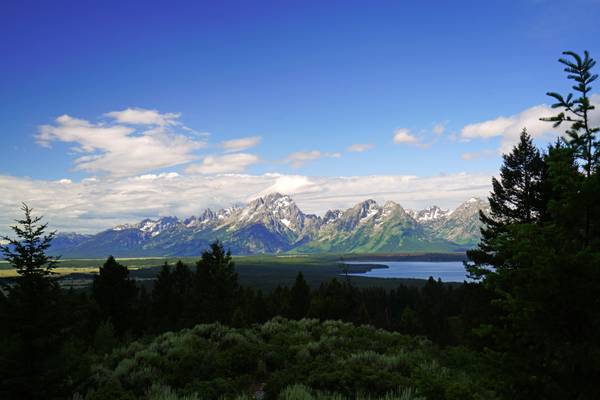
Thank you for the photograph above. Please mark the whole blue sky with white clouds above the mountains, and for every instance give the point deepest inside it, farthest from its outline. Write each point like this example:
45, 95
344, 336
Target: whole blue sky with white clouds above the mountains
114, 111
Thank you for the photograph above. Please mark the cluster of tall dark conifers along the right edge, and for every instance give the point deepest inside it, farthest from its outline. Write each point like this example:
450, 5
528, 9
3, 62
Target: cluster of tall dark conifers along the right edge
543, 273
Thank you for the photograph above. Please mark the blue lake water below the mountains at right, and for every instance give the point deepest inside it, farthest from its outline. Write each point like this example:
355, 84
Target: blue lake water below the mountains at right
447, 271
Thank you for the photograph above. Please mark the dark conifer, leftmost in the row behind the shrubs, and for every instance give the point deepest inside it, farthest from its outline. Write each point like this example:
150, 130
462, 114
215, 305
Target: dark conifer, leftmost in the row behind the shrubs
115, 294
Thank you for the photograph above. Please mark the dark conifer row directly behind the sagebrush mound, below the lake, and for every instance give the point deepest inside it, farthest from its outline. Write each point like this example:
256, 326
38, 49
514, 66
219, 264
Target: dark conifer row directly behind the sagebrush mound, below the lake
183, 296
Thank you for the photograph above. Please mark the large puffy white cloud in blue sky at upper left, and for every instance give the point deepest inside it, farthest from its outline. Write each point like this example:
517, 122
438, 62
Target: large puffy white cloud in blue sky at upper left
120, 149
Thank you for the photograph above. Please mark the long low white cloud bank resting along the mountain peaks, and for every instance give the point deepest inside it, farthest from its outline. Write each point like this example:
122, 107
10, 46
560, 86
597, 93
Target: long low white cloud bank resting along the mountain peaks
98, 203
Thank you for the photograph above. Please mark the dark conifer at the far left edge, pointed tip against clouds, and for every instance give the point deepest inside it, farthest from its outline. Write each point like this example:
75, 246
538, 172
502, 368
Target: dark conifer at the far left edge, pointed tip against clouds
32, 314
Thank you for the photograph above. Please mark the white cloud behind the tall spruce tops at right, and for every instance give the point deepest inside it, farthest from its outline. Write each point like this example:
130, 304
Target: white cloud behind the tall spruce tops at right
509, 128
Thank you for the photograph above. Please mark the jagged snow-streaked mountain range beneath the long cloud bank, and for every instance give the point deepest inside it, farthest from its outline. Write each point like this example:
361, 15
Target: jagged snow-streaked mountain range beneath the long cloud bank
275, 224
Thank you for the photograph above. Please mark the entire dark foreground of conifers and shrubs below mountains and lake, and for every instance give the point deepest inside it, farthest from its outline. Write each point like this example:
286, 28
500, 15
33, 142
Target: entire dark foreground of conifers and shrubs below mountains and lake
526, 327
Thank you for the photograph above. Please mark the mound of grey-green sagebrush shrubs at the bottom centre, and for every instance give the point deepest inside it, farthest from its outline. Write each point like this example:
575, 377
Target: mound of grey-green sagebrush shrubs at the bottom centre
289, 359
